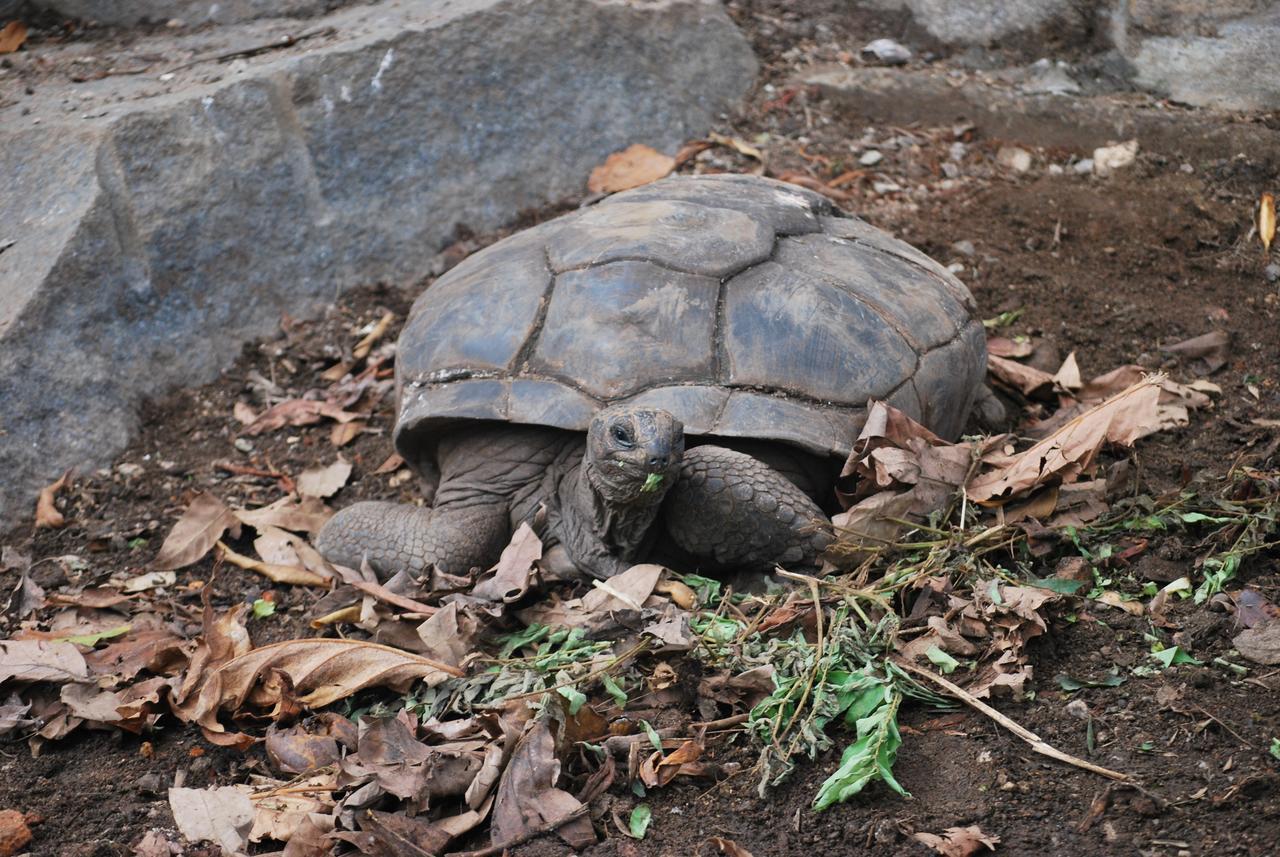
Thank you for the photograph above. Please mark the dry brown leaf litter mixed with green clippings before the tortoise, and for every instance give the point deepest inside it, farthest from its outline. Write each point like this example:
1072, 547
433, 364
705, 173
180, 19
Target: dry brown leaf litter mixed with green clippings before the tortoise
492, 686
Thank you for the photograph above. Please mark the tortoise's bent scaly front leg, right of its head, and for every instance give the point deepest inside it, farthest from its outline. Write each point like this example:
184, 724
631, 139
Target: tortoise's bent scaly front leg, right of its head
737, 512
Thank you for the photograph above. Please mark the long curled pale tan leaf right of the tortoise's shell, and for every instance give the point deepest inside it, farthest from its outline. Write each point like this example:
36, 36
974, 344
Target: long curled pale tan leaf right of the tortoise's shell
1072, 451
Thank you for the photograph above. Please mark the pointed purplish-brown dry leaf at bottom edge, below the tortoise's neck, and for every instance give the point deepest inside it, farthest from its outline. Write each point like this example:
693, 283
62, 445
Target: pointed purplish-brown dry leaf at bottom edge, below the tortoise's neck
528, 798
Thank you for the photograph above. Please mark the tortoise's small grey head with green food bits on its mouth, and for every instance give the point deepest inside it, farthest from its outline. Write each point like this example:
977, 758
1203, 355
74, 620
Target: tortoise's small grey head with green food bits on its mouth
633, 455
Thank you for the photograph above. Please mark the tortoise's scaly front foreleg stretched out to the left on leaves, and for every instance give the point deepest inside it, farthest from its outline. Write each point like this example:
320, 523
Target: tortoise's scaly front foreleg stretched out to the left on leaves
392, 537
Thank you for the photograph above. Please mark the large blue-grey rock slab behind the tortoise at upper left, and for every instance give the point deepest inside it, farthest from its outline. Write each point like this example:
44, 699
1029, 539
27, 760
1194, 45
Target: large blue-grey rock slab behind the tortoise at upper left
153, 223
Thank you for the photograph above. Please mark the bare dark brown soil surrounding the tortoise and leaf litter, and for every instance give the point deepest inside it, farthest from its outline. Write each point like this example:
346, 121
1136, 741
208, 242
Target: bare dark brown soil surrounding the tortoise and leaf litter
1112, 269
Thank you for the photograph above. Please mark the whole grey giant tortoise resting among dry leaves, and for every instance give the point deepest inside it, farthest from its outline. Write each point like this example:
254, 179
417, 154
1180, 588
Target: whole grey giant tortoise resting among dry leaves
675, 372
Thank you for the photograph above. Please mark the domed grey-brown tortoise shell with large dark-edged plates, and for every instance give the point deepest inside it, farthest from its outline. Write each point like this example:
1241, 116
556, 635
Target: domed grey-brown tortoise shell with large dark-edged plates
744, 306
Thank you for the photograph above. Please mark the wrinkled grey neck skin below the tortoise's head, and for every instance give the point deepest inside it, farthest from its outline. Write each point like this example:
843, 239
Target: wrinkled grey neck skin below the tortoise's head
605, 526
